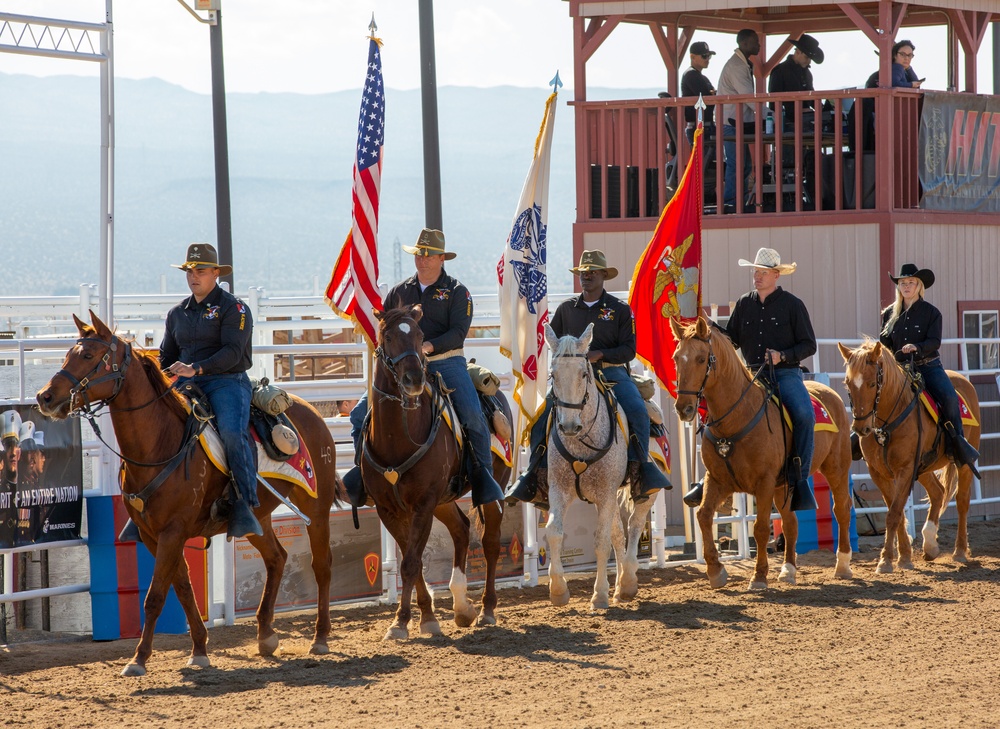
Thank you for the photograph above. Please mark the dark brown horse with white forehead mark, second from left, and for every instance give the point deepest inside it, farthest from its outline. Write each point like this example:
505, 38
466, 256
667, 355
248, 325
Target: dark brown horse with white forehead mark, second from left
410, 469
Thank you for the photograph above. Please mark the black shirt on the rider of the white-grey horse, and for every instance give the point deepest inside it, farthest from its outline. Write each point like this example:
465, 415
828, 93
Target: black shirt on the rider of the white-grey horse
614, 327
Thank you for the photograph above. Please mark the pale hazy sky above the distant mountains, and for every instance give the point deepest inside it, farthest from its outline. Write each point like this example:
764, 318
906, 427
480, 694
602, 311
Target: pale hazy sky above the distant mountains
317, 46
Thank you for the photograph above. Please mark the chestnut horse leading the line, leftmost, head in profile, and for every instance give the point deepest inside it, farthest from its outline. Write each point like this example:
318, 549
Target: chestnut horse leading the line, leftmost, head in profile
149, 422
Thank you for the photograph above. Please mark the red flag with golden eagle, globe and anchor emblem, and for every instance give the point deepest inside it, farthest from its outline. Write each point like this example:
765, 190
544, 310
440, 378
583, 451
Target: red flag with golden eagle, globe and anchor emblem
666, 282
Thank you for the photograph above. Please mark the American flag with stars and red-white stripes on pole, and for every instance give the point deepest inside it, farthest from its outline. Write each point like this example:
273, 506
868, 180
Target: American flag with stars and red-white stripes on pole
353, 290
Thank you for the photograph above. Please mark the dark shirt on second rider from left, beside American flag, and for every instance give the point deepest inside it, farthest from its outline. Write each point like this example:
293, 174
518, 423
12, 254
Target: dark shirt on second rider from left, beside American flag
447, 307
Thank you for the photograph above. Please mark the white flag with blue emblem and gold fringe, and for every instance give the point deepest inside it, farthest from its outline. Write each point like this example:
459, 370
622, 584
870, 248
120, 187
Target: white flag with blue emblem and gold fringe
524, 303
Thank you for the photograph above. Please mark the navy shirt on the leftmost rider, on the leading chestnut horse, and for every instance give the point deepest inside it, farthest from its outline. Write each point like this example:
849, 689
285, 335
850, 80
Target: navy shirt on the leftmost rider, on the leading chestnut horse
213, 335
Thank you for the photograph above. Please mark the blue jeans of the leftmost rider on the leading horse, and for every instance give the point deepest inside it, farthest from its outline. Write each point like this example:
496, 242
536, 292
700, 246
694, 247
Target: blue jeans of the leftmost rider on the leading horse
229, 396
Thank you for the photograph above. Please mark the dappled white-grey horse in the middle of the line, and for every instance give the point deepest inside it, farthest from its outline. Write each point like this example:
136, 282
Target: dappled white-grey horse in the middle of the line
588, 458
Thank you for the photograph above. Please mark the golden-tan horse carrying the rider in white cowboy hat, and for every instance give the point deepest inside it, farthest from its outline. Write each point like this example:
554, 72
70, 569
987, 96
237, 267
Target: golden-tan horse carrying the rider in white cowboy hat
744, 448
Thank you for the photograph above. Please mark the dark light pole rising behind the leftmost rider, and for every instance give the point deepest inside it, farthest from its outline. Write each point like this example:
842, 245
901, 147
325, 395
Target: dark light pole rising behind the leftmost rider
223, 209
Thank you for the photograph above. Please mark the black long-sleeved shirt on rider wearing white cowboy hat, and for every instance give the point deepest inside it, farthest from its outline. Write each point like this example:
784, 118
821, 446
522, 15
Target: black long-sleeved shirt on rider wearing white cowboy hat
780, 323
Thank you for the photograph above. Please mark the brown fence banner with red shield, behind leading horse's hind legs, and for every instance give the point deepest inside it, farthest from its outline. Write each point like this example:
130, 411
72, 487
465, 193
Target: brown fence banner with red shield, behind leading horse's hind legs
357, 563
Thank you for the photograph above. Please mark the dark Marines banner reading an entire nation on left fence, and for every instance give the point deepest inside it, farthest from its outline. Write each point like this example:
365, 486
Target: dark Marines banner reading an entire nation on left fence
41, 478
